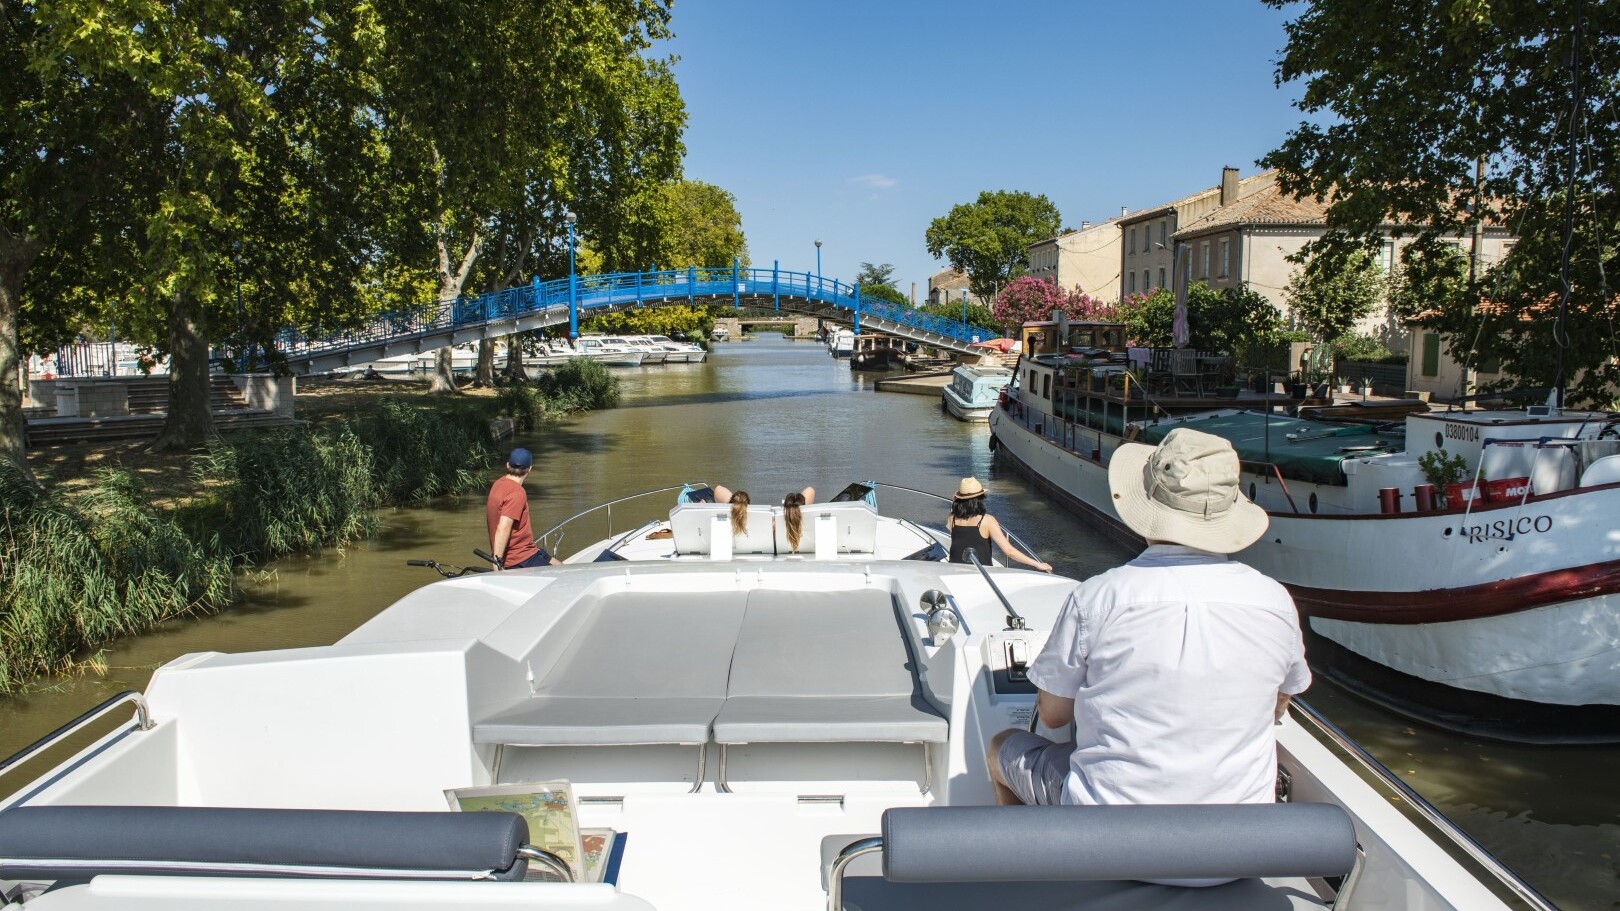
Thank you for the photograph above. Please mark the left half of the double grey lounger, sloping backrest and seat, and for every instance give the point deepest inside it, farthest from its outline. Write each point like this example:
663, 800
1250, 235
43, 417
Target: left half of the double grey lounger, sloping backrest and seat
644, 670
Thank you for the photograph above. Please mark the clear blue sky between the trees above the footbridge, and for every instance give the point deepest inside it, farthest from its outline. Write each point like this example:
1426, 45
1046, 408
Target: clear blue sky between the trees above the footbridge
863, 121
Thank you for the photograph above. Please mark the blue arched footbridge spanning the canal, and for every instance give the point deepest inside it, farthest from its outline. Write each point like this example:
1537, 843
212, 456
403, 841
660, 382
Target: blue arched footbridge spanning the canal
566, 302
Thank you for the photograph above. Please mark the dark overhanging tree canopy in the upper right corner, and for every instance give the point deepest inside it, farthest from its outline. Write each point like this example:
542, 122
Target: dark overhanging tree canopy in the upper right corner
1409, 101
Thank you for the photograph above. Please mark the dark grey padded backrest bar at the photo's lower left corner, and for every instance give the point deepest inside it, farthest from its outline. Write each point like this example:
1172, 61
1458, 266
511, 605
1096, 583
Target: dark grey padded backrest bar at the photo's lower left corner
82, 842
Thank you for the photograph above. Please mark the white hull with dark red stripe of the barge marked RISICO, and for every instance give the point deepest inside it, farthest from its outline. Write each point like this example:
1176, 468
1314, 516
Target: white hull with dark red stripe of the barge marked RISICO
1452, 599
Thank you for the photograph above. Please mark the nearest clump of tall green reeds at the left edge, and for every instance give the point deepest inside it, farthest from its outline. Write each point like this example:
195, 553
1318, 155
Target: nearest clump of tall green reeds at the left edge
75, 575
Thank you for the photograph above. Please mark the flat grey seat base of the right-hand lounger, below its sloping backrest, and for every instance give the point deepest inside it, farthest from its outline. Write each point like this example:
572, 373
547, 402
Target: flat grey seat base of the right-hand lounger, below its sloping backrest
832, 719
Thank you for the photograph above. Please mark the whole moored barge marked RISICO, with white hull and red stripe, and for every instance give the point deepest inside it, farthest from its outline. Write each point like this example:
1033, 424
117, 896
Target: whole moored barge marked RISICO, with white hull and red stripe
1490, 607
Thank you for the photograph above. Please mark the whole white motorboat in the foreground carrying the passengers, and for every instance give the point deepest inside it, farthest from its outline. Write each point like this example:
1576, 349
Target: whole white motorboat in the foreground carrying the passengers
738, 727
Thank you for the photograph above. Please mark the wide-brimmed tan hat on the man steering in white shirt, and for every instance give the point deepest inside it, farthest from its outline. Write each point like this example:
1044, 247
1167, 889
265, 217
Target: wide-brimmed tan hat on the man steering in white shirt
1185, 492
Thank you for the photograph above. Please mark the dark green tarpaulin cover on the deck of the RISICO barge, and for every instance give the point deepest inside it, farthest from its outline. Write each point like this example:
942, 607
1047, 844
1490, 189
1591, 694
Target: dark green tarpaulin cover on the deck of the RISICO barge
1302, 450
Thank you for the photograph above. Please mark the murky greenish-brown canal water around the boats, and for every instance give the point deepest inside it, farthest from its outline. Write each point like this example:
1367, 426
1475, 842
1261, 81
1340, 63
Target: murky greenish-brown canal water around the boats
772, 416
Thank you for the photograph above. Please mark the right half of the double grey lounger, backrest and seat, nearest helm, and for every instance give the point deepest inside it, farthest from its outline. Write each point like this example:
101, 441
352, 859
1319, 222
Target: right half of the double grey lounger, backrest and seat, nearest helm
825, 667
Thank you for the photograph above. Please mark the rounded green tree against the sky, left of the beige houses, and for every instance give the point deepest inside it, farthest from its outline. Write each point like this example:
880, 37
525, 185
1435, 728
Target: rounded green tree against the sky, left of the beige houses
989, 239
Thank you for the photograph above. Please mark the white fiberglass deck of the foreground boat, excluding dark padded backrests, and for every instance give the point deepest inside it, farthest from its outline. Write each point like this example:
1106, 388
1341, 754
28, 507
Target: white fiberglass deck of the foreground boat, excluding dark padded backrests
819, 678
